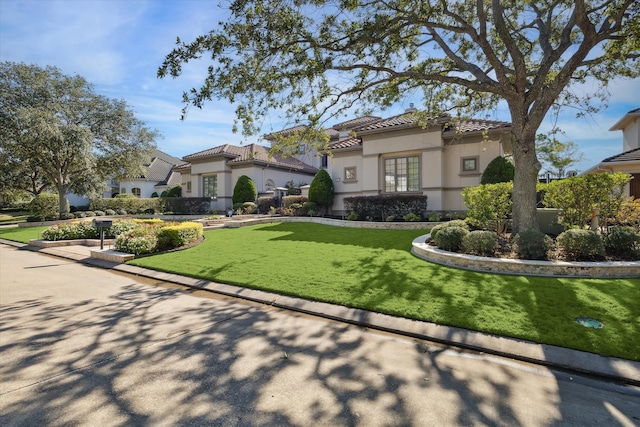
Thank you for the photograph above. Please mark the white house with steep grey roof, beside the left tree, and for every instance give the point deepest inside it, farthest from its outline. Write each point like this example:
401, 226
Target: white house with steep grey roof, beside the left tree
159, 175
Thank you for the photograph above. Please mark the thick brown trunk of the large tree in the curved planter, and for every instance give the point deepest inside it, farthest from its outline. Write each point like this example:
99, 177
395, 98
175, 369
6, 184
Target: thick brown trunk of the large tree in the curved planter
525, 179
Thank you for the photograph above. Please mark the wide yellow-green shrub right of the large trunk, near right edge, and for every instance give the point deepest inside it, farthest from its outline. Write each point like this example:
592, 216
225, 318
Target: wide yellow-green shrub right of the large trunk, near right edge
578, 196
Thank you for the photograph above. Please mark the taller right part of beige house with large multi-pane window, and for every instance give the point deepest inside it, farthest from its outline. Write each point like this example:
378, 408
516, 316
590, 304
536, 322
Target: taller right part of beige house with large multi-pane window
370, 155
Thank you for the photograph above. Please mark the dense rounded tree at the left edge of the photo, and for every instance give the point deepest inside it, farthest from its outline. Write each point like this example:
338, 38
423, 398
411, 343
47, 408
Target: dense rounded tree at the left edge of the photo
55, 131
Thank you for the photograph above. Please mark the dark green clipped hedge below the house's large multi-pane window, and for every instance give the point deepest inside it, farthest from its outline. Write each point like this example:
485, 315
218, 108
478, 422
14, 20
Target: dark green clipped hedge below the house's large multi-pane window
381, 206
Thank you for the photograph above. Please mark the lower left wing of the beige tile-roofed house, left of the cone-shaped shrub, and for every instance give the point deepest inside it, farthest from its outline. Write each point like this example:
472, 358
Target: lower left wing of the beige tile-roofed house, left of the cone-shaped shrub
214, 172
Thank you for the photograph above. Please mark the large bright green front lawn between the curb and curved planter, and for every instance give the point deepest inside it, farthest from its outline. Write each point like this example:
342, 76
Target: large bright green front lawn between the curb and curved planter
374, 270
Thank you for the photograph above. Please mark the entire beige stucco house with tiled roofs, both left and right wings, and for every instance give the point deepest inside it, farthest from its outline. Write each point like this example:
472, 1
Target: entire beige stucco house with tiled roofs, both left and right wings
365, 156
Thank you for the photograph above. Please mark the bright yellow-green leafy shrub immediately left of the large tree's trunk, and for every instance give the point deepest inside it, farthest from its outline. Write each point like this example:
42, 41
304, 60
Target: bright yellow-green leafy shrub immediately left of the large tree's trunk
489, 206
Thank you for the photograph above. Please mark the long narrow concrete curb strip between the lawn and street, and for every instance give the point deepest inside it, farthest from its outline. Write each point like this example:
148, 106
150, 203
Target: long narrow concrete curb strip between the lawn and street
610, 368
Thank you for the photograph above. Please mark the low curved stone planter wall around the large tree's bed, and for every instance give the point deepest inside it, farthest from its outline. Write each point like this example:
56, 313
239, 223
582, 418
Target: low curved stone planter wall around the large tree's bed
618, 269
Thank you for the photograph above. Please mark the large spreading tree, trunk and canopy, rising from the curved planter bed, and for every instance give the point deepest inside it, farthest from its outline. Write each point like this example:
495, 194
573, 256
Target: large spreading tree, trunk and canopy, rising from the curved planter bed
314, 59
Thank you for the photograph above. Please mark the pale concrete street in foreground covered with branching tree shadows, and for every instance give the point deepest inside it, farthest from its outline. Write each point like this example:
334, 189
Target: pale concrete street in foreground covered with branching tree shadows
85, 346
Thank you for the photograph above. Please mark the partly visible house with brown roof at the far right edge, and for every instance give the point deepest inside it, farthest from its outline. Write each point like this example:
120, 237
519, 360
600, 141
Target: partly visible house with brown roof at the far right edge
629, 160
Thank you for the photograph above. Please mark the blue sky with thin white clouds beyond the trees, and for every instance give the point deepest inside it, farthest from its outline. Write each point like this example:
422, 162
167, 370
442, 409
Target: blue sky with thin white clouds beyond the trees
118, 46
